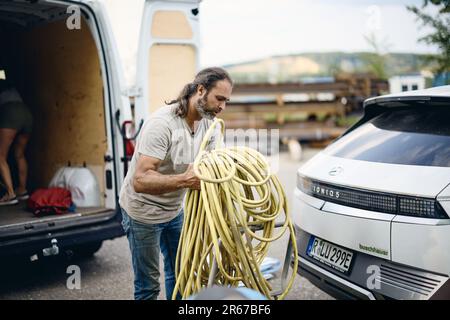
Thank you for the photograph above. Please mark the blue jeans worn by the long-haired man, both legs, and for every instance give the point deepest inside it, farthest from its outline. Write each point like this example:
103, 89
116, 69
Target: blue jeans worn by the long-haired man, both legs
146, 241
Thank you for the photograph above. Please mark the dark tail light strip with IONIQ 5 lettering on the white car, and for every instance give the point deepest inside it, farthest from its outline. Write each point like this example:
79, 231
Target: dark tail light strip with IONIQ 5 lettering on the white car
372, 200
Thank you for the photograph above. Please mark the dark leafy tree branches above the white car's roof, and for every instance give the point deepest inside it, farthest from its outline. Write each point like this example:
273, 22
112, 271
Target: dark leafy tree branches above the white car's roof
440, 36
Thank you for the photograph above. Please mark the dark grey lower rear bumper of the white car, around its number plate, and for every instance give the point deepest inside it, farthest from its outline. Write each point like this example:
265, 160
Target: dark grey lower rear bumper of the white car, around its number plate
371, 278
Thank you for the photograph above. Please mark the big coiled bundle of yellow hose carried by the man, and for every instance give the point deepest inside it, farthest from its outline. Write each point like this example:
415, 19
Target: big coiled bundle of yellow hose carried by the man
238, 196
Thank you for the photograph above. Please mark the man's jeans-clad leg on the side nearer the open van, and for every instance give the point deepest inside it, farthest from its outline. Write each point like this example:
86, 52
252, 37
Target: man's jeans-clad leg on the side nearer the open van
144, 246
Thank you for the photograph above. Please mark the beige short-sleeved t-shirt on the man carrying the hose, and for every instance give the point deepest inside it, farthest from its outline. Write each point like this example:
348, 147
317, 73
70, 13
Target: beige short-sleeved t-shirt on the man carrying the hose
167, 137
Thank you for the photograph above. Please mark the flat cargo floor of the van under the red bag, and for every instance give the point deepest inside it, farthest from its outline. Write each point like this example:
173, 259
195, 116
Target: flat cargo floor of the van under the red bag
17, 214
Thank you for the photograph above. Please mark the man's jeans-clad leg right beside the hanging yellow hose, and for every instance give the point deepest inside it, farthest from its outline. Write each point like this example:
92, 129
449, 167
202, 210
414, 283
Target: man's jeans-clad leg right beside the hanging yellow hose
170, 237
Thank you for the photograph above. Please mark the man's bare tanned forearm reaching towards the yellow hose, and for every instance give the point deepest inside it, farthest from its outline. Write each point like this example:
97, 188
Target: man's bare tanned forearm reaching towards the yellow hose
155, 183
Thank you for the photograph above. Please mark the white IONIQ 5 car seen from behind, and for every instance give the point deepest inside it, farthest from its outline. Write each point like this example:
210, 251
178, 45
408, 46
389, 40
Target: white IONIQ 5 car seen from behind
372, 209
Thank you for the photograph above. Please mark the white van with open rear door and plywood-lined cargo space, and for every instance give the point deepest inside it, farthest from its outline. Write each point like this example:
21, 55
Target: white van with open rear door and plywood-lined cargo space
62, 58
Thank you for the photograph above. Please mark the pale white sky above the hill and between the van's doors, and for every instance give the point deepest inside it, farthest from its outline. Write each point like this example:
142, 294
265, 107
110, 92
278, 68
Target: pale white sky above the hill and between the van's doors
233, 31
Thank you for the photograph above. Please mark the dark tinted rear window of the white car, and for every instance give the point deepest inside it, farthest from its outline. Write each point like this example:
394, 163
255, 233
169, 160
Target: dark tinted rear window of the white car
410, 137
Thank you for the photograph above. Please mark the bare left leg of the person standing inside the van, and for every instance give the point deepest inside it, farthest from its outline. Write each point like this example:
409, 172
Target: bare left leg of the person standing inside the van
6, 139
